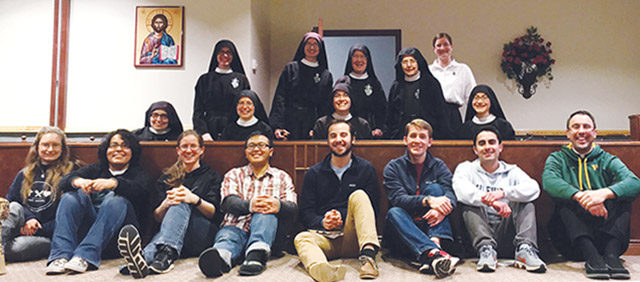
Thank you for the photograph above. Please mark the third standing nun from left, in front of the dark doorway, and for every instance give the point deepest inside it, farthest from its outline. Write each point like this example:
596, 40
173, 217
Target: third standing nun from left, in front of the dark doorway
367, 96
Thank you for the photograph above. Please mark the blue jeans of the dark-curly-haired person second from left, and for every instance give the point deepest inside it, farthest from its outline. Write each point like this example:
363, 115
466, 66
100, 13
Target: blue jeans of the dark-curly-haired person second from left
77, 219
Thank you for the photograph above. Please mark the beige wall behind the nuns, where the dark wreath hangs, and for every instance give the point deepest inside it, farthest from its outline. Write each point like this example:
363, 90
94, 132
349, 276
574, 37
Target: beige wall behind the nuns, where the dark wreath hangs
594, 44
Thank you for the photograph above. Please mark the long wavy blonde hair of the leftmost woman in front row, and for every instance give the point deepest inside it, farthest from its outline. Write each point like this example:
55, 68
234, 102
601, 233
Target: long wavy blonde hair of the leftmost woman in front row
56, 170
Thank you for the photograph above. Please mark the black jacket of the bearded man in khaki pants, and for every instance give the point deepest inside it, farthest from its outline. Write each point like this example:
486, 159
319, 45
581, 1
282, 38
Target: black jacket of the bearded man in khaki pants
322, 191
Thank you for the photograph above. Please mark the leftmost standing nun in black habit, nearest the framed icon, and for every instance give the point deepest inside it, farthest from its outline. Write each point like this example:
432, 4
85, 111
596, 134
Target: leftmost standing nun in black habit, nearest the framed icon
216, 91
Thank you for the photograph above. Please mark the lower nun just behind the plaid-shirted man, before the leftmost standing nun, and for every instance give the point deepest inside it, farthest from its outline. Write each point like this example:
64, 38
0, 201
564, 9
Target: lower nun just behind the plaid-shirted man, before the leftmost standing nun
247, 123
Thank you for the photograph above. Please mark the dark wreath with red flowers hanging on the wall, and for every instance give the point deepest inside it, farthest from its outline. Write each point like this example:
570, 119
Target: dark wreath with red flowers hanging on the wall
525, 59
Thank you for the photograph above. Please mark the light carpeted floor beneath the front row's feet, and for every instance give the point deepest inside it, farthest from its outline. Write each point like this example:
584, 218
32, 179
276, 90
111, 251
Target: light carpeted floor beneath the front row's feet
289, 269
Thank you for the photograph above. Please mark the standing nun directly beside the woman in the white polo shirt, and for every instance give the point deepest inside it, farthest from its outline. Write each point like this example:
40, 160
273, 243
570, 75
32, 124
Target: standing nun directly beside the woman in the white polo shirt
416, 94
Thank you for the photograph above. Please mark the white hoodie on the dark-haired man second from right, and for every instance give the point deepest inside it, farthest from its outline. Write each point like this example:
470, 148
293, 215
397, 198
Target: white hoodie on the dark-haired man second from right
471, 182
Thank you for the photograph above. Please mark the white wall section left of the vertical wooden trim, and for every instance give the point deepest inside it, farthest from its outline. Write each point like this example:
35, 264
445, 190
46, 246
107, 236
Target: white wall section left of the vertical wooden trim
26, 40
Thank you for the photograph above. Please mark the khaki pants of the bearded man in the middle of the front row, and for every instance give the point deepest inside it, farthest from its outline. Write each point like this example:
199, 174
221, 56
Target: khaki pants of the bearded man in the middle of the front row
359, 230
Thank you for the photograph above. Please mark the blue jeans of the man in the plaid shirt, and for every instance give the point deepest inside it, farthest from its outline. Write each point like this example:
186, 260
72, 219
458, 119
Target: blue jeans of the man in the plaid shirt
262, 232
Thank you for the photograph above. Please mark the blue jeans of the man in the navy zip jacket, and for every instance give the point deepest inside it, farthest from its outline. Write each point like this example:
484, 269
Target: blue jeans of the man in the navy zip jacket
401, 232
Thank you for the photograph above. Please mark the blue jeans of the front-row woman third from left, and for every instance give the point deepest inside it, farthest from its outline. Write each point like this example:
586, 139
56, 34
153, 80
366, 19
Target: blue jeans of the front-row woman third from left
192, 235
